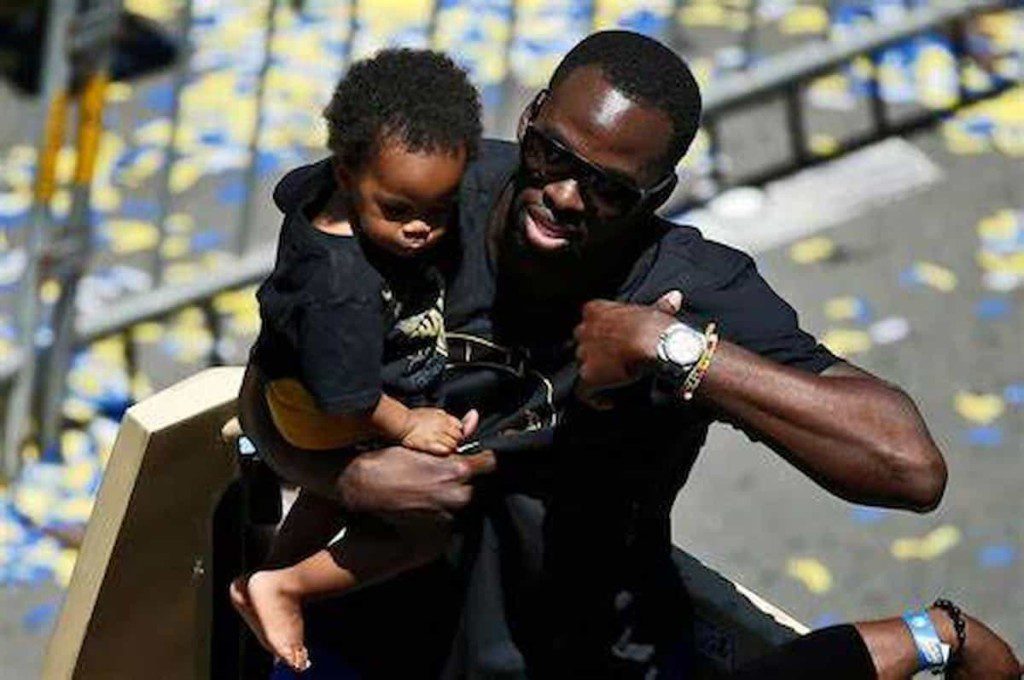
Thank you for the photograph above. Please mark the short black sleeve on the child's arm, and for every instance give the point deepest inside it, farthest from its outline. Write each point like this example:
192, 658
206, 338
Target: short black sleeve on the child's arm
340, 347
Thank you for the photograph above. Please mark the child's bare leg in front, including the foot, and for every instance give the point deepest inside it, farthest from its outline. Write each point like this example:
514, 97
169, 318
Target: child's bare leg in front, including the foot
372, 550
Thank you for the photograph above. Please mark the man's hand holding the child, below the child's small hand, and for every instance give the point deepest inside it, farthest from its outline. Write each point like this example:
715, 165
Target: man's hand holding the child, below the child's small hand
400, 480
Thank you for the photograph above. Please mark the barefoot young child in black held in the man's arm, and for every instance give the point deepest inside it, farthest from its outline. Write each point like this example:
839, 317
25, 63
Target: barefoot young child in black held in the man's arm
353, 338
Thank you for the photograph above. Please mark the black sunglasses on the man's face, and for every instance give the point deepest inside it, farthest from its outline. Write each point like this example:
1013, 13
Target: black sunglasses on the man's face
547, 159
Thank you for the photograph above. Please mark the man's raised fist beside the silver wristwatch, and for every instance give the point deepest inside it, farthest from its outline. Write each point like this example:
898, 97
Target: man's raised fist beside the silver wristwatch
617, 344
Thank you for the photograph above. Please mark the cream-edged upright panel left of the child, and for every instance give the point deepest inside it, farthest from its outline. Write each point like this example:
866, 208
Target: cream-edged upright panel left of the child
140, 601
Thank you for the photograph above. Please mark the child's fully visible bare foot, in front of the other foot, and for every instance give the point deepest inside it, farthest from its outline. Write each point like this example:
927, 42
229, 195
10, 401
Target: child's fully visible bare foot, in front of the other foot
280, 615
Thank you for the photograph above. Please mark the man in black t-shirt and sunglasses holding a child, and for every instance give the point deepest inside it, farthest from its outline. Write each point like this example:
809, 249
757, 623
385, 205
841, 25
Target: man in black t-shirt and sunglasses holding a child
575, 579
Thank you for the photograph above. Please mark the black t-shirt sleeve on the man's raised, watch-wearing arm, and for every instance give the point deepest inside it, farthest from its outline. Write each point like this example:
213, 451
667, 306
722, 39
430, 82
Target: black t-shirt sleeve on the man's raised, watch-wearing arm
751, 315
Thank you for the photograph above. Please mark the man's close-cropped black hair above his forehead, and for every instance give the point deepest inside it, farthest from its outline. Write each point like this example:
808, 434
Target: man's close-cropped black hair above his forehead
648, 73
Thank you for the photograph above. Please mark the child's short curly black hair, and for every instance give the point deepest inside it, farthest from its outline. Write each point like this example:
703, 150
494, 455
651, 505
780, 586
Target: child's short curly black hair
415, 97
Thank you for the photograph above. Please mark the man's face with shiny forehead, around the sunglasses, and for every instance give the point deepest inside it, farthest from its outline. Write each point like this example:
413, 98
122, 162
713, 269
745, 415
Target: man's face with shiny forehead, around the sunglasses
586, 116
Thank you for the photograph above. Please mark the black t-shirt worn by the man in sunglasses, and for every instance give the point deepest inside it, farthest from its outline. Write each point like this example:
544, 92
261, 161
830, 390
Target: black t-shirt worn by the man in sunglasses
576, 578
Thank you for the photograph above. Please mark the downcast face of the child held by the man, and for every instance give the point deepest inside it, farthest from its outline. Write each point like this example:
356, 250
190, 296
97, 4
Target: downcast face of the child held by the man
405, 201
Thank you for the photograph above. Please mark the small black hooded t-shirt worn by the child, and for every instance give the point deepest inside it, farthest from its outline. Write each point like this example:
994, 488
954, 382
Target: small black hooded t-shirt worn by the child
344, 319
